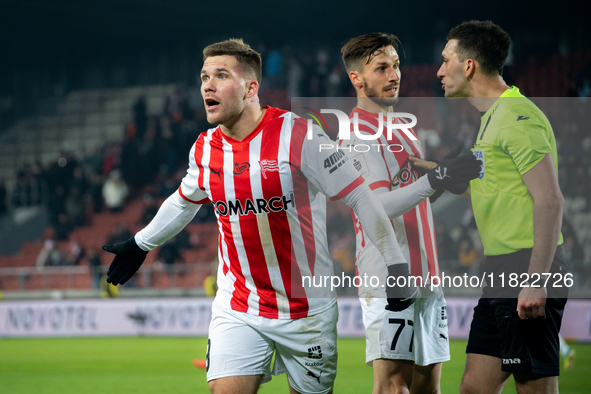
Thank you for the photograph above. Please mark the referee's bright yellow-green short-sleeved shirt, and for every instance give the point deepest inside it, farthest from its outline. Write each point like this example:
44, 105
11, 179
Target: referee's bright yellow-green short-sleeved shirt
514, 136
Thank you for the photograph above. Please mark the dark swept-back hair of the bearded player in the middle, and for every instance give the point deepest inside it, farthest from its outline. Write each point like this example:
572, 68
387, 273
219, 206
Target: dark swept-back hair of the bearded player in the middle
365, 48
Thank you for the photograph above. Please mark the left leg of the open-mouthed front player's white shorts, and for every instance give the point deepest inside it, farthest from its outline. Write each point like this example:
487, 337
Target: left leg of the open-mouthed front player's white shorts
236, 347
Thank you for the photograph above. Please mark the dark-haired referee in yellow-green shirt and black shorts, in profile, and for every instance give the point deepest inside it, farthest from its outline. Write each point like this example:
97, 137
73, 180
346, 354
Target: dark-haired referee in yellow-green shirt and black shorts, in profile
518, 210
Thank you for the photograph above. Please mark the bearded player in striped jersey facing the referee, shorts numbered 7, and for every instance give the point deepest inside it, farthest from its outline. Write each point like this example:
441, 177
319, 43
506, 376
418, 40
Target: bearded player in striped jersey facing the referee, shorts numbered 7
405, 348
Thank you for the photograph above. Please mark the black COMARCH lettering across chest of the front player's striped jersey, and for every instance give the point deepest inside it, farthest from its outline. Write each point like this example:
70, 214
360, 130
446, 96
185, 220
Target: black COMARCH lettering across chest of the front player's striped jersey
255, 206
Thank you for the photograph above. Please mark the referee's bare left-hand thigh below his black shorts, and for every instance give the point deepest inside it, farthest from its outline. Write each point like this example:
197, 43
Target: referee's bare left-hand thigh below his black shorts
483, 374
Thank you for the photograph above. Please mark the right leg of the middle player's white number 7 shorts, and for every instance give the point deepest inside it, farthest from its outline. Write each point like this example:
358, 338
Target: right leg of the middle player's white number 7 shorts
431, 338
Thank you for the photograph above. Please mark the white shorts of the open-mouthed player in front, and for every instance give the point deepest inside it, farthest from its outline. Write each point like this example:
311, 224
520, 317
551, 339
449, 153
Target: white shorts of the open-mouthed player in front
305, 349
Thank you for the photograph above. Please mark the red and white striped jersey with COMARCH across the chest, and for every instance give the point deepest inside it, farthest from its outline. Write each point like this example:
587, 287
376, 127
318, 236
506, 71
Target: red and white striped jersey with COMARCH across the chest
268, 192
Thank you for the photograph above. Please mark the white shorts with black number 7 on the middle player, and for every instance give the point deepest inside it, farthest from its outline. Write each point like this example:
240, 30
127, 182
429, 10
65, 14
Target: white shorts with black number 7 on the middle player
418, 333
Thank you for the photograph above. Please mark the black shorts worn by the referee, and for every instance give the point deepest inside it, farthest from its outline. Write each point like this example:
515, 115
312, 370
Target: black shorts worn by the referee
522, 345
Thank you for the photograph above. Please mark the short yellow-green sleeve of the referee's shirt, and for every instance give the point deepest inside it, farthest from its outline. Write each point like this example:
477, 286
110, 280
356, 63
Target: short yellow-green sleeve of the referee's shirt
526, 143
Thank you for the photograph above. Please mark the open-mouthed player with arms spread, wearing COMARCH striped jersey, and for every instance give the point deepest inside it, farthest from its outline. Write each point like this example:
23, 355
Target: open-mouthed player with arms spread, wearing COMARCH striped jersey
268, 183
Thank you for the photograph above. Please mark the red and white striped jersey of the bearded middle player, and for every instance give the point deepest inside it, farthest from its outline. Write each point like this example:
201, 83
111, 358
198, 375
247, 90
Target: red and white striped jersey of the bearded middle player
390, 168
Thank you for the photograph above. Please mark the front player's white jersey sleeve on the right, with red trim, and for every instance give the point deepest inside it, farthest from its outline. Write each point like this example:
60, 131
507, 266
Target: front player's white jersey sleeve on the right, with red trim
324, 165
